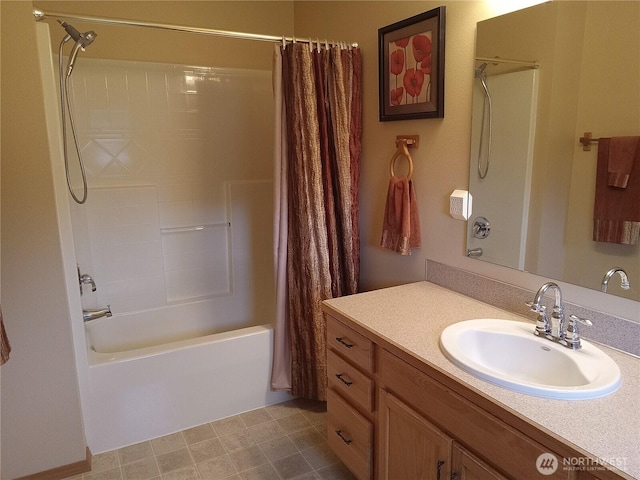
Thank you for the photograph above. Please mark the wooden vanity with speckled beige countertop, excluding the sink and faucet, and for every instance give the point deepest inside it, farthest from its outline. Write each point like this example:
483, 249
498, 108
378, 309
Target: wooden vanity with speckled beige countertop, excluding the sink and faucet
399, 409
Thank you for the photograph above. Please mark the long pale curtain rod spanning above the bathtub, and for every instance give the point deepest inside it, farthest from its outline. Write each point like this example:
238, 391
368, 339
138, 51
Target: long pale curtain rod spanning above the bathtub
41, 15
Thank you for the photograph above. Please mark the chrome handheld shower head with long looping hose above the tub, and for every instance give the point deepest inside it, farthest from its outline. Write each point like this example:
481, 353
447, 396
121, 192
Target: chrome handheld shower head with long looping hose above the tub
82, 40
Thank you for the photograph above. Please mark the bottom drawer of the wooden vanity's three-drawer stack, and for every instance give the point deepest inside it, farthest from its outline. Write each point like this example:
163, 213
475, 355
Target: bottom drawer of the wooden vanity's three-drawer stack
350, 436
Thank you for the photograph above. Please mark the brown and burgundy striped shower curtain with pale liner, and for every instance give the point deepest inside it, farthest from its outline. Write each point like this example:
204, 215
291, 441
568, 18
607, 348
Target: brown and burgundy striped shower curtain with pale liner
318, 143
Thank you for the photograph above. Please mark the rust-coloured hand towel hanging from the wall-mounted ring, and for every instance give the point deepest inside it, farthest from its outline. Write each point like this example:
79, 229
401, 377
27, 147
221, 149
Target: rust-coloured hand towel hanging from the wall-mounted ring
401, 226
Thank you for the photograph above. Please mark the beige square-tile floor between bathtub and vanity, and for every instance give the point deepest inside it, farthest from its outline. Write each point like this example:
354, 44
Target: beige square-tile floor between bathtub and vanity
286, 441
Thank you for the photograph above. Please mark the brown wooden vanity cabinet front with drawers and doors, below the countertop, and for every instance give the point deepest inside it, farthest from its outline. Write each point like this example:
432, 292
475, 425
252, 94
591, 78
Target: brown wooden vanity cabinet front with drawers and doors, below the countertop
391, 416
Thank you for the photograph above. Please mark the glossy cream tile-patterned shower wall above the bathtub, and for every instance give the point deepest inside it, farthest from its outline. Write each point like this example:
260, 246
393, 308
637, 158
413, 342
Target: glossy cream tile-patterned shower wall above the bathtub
172, 152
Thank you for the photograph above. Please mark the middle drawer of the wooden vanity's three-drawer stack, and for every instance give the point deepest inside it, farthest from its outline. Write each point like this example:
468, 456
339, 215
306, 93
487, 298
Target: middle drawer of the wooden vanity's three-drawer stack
350, 382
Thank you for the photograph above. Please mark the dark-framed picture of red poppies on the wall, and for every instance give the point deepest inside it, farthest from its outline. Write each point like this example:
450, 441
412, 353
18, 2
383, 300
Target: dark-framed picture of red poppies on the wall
411, 67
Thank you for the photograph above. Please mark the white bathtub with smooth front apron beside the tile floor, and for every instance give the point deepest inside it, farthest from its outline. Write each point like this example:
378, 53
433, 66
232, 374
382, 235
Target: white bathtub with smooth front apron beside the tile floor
147, 380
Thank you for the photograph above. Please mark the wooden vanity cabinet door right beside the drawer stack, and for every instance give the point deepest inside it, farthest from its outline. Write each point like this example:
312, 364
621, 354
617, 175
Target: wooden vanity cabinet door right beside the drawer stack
409, 447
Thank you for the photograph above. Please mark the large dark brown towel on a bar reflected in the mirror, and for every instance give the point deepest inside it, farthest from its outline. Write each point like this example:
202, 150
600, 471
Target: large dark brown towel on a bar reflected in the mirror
616, 211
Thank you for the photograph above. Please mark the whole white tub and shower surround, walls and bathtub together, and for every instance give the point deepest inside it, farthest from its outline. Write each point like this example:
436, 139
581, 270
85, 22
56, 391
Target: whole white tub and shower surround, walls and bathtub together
176, 234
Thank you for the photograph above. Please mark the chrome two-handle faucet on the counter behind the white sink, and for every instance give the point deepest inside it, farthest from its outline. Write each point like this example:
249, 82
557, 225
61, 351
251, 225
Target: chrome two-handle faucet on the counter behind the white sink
568, 337
